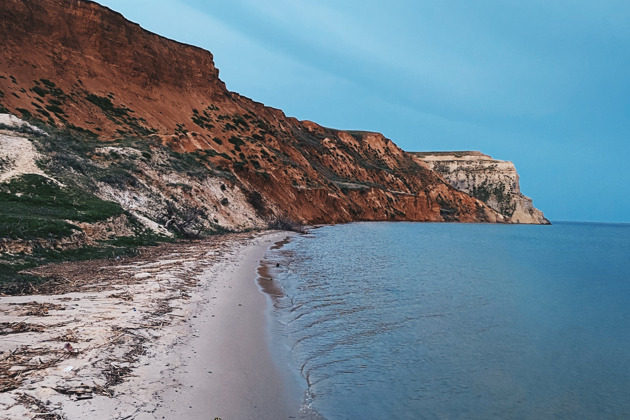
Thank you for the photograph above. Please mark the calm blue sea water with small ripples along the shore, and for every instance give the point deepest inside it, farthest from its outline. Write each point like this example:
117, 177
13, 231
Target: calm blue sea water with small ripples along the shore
414, 320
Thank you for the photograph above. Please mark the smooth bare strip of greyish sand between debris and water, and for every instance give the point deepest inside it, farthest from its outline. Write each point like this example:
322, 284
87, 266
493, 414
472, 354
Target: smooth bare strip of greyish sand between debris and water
227, 369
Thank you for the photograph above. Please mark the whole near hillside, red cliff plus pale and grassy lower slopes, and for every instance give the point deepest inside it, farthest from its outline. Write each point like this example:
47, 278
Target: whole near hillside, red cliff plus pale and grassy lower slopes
124, 137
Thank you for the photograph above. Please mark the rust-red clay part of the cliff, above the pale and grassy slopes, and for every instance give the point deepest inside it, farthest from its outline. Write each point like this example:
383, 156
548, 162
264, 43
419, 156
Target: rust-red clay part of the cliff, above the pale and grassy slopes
78, 66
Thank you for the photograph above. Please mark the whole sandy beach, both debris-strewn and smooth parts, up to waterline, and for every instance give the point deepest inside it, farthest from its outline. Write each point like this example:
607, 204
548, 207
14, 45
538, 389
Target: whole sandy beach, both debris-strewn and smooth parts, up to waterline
178, 332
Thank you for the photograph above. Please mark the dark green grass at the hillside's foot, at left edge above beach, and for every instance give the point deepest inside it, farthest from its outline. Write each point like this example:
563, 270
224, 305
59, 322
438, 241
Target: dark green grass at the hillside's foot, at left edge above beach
33, 207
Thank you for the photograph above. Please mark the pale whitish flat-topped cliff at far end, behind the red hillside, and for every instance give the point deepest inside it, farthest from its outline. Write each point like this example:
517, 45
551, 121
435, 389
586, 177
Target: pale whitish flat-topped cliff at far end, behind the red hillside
495, 182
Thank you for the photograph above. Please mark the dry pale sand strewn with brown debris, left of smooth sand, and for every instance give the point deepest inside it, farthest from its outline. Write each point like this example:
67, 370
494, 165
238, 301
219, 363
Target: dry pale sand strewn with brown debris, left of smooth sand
85, 313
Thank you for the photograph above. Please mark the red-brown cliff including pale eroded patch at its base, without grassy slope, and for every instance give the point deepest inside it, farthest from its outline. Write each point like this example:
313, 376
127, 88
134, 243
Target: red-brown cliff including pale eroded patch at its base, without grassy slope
78, 67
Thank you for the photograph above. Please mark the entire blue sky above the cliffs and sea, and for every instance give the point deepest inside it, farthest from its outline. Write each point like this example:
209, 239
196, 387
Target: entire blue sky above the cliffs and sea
544, 84
